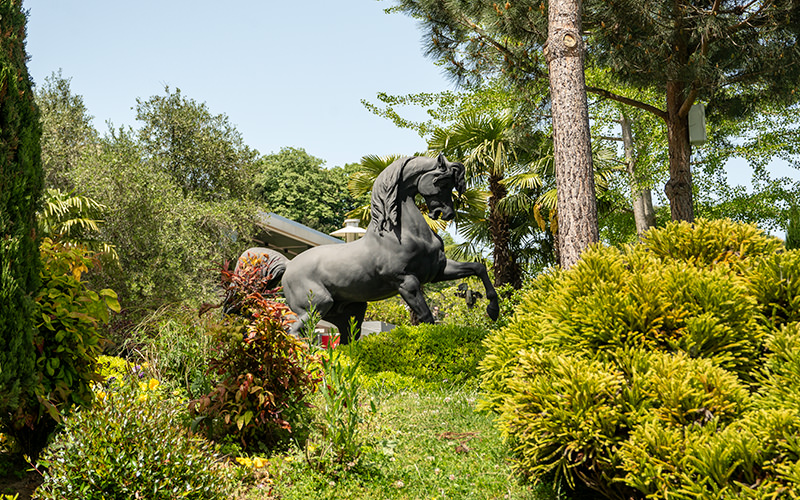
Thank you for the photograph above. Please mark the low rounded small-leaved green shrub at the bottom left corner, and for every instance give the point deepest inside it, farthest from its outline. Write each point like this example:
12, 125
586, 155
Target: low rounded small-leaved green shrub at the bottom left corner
132, 444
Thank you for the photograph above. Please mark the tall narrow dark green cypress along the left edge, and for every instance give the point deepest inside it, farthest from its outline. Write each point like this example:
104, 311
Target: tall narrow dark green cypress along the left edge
21, 181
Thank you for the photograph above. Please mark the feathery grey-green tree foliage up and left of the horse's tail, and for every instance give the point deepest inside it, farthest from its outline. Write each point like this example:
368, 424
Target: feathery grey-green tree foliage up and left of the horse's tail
169, 246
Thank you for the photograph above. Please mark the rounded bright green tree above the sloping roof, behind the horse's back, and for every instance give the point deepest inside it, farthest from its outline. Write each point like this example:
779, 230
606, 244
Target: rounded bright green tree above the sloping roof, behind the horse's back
295, 185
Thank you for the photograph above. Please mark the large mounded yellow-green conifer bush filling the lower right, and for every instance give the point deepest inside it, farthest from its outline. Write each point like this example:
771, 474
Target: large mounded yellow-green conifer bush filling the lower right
666, 369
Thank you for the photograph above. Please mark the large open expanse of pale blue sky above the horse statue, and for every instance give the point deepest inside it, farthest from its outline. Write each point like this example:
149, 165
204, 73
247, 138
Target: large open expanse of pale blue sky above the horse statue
287, 73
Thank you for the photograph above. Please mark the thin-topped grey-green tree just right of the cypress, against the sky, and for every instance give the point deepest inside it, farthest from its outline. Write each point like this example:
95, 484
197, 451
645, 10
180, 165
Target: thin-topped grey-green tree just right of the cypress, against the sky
67, 131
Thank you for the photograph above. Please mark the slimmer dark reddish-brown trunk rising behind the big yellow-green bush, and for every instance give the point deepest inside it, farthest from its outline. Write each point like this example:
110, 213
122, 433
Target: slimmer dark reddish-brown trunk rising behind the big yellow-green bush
679, 187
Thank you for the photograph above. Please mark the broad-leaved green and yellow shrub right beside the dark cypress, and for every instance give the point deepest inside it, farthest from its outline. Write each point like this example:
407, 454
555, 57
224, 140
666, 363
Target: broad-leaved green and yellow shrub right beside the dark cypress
67, 343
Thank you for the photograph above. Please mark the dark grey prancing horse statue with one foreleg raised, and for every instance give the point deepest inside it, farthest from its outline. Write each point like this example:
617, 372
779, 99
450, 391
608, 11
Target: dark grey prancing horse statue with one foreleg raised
398, 253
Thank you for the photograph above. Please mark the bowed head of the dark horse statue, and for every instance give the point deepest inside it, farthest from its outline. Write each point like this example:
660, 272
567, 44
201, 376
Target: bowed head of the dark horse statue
437, 185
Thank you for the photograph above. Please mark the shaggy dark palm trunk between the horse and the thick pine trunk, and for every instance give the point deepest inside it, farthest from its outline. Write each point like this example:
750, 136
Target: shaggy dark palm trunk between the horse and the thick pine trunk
505, 268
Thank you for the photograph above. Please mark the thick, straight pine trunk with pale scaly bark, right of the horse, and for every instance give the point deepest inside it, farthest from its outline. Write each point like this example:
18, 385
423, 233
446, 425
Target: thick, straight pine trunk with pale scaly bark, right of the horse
576, 204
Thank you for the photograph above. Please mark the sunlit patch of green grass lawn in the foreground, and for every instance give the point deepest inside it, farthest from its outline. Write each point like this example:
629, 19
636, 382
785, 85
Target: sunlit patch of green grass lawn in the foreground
419, 444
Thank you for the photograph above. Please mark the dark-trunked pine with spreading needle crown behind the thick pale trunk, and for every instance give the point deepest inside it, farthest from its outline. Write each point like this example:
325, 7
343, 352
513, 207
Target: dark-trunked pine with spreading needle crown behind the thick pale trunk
734, 55
